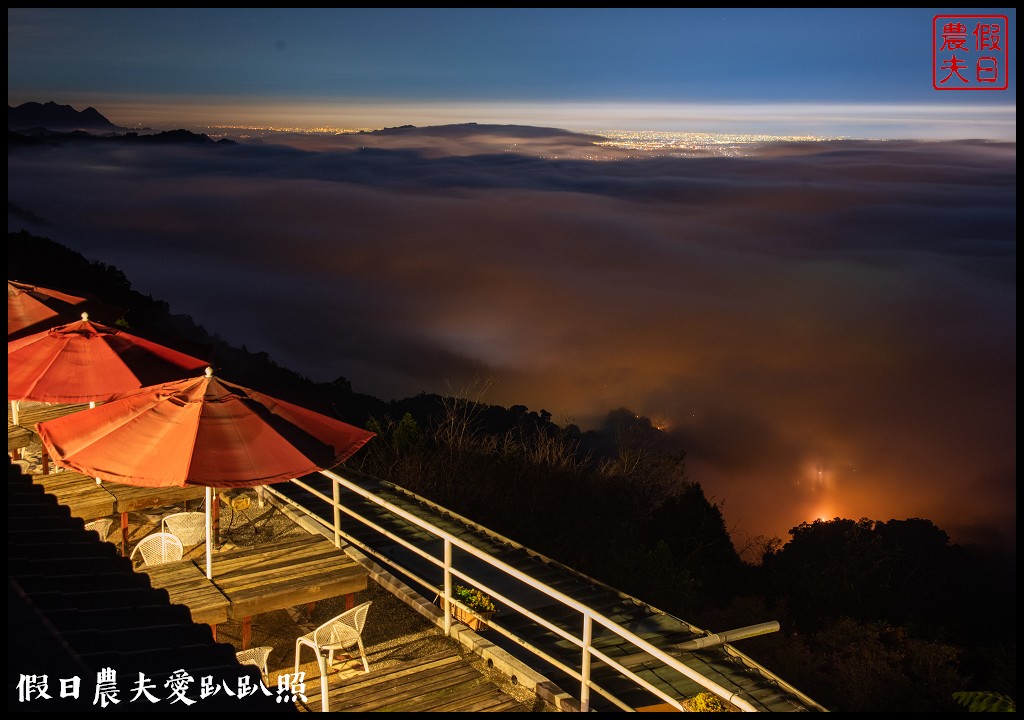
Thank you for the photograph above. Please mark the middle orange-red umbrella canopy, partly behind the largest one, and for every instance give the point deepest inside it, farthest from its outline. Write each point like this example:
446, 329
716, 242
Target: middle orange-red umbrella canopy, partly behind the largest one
87, 362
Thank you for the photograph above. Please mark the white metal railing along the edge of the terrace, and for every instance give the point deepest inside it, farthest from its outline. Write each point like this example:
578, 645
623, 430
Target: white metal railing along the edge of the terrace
588, 616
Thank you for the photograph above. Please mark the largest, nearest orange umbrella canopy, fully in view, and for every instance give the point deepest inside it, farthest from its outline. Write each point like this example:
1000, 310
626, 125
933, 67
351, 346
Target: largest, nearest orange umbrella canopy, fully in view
200, 432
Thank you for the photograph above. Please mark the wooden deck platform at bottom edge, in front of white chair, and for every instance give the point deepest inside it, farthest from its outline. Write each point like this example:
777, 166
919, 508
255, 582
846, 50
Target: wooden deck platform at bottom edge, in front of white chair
440, 684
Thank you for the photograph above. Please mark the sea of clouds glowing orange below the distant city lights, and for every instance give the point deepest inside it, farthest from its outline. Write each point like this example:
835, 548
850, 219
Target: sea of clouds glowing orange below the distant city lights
829, 329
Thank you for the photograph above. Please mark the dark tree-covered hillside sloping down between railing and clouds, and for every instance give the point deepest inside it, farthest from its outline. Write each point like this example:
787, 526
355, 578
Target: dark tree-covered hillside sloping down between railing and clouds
875, 616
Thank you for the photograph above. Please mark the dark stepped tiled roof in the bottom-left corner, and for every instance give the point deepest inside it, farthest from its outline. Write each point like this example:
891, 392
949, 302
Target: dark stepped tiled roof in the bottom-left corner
77, 610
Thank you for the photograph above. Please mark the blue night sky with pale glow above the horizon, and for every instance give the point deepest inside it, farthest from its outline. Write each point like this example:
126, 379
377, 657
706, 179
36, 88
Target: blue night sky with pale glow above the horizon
865, 73
